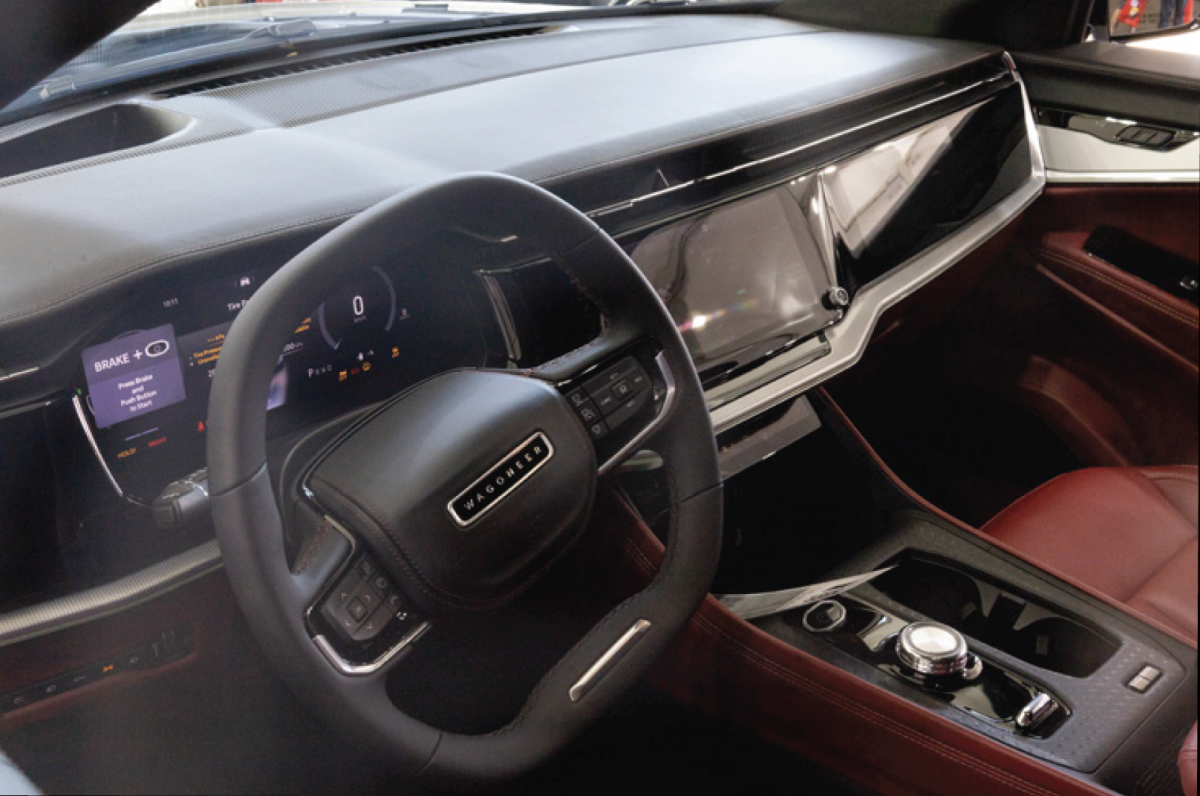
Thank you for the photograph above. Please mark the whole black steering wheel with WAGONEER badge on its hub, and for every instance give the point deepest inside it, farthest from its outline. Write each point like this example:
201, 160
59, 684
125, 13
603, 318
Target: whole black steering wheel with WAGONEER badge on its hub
457, 495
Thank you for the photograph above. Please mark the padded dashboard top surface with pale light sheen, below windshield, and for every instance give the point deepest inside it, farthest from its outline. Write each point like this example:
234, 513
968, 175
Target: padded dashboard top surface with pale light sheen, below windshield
547, 107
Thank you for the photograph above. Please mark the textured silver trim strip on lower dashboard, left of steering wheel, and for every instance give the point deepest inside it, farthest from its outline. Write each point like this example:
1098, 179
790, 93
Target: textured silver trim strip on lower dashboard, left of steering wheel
71, 611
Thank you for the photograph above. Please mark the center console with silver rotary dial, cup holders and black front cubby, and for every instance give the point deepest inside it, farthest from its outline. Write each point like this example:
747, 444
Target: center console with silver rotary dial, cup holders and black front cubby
962, 629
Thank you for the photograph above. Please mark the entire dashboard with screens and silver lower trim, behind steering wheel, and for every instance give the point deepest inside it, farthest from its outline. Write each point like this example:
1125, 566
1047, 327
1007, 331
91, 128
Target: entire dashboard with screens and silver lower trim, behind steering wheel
781, 185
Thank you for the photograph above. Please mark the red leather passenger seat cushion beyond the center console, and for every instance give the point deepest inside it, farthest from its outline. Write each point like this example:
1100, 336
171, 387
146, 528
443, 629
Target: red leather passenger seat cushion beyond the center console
1127, 532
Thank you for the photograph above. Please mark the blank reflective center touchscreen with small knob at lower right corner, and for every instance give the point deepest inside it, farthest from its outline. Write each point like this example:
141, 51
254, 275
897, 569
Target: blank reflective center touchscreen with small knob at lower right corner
741, 282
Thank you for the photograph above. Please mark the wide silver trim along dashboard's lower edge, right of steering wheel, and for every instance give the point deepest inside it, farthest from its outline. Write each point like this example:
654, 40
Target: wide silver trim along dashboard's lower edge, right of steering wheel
849, 339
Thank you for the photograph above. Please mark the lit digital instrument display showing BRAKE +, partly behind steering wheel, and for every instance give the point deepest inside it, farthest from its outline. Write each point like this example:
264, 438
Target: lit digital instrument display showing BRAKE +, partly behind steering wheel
147, 390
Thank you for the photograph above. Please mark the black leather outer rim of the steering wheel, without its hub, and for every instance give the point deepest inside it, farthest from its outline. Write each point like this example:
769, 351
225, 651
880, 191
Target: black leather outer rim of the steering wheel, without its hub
275, 599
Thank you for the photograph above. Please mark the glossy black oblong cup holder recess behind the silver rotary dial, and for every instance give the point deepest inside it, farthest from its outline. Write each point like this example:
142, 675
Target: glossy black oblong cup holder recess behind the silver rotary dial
998, 615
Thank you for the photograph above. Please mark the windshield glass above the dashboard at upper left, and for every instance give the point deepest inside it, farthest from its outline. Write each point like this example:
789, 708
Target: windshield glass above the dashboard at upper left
176, 35
